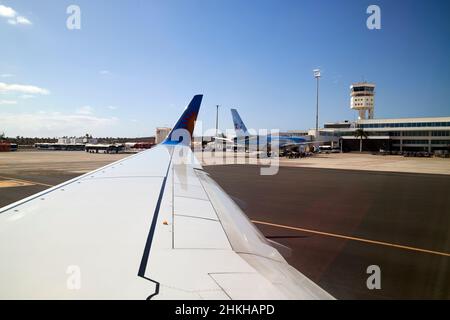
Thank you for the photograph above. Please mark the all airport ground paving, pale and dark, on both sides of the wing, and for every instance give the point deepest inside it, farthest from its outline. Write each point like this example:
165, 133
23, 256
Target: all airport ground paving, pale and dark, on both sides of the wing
339, 213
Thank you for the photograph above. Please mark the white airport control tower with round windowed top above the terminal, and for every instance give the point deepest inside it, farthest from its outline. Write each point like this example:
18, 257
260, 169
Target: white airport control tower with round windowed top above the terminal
362, 99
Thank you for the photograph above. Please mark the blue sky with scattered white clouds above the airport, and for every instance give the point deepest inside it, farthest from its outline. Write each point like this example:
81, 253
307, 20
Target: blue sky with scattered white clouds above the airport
135, 65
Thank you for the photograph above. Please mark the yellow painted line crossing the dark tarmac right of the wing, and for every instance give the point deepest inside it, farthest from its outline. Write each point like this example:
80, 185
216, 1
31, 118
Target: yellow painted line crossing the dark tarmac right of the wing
327, 234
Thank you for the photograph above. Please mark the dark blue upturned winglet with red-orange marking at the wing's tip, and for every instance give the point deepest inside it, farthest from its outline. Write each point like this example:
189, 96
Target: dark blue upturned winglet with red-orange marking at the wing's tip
186, 123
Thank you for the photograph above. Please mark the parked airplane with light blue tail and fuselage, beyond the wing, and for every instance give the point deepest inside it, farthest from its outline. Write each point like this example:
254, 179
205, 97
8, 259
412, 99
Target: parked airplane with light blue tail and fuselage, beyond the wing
262, 142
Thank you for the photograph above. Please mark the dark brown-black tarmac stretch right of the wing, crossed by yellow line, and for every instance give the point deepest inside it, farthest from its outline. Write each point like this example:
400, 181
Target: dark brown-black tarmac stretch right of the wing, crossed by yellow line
340, 222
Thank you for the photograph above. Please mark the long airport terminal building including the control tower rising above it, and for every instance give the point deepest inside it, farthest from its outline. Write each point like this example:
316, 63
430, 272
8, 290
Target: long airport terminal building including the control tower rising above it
401, 134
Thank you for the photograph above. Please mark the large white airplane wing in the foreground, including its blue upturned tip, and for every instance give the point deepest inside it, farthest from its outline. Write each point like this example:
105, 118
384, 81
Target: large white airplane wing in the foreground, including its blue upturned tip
153, 225
